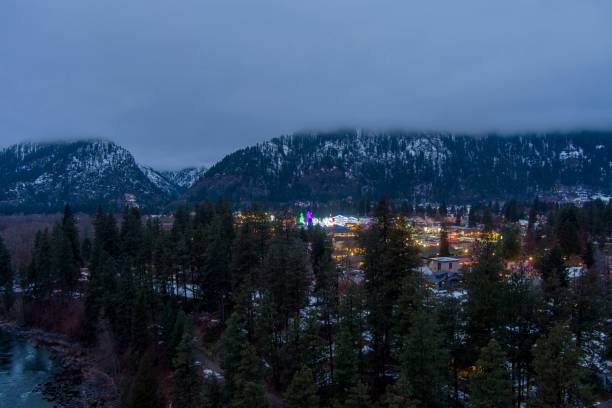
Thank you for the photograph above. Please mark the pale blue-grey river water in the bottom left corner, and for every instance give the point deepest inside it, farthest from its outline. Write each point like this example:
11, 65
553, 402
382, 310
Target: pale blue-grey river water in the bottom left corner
22, 368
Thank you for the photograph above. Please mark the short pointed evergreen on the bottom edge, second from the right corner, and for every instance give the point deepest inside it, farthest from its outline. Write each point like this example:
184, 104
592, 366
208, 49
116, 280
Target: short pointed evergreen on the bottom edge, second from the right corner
490, 385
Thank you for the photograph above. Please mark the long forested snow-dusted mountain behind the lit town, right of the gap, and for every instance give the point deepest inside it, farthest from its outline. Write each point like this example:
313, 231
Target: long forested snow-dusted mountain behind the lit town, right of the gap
353, 165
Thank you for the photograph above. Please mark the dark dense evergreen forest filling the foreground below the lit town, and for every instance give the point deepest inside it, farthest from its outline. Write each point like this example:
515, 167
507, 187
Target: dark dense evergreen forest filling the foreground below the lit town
265, 301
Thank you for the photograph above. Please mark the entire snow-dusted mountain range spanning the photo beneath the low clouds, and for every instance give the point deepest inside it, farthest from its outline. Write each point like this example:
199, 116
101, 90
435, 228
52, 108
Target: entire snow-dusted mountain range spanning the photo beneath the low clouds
318, 167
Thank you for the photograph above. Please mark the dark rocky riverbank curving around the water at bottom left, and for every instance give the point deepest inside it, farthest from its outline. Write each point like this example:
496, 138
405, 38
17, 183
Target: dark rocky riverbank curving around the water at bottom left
77, 381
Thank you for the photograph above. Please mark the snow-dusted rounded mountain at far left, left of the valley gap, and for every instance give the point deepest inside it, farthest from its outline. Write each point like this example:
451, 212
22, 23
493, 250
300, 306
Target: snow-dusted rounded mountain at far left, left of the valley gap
41, 177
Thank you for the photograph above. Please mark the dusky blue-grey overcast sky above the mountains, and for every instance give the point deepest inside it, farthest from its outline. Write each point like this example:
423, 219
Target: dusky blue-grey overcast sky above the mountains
184, 82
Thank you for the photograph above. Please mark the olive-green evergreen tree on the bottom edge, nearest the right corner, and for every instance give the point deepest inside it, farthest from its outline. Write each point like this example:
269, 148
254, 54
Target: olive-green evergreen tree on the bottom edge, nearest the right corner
558, 374
